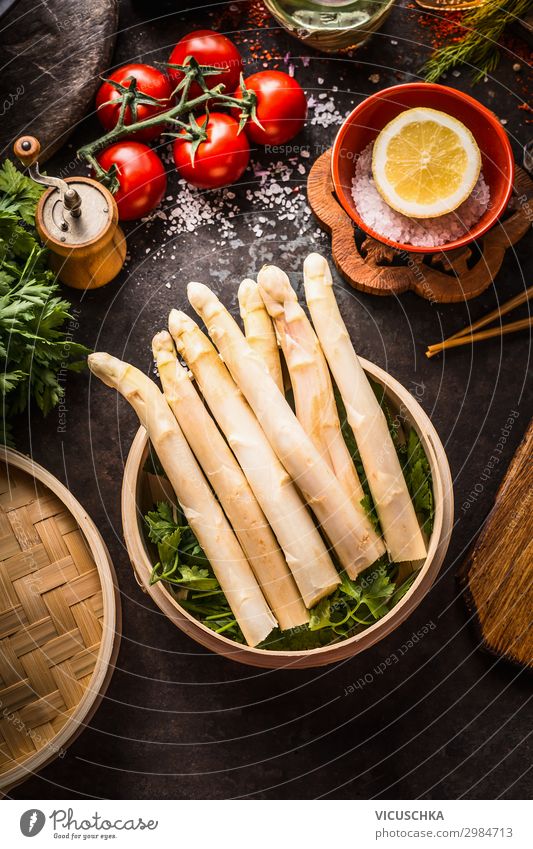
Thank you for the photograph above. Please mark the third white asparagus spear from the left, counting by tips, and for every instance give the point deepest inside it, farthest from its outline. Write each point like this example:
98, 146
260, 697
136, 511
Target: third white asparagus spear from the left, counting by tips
281, 503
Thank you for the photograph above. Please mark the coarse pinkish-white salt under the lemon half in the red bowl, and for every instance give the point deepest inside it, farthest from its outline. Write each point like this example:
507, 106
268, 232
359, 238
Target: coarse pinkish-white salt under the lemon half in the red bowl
420, 232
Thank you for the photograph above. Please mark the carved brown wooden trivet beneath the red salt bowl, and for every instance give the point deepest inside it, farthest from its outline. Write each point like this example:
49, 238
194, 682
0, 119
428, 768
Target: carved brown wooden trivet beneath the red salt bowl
446, 277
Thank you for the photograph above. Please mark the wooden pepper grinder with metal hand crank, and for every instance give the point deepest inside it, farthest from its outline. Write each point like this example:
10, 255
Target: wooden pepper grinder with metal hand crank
77, 218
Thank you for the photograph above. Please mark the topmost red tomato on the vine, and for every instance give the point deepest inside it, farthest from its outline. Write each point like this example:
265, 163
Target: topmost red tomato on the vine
208, 48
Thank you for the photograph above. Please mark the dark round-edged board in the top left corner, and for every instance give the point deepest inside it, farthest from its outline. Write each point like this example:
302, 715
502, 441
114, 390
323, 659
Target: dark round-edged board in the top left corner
51, 55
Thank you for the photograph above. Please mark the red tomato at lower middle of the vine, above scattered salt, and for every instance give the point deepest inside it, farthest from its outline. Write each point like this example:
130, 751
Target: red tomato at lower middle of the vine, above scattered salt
219, 160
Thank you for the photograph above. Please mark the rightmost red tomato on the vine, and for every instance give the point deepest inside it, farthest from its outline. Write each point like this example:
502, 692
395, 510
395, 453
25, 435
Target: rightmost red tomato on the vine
281, 107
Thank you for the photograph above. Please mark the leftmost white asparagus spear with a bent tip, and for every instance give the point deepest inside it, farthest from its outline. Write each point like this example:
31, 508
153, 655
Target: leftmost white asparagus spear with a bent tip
199, 505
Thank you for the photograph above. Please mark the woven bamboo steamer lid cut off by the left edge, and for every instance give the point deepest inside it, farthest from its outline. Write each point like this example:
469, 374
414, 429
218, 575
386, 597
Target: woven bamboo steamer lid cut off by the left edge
59, 618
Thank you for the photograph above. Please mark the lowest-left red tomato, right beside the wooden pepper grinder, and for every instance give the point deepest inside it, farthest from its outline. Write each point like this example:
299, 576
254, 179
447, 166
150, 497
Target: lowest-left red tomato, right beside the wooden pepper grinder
141, 175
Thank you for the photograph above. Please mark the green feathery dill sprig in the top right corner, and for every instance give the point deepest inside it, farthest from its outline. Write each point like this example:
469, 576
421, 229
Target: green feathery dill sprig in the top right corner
479, 48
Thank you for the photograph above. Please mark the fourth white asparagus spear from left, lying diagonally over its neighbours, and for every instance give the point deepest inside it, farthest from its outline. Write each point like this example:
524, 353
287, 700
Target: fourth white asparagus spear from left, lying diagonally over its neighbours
342, 524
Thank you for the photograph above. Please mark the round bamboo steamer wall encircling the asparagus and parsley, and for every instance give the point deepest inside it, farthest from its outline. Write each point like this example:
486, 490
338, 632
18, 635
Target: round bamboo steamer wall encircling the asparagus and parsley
141, 489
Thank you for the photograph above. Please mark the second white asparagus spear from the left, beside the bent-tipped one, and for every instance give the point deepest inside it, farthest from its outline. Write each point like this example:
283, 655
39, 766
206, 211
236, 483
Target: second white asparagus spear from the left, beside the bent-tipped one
231, 487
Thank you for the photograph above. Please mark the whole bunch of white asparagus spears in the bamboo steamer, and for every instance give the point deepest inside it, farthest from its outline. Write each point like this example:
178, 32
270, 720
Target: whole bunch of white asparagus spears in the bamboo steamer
247, 471
